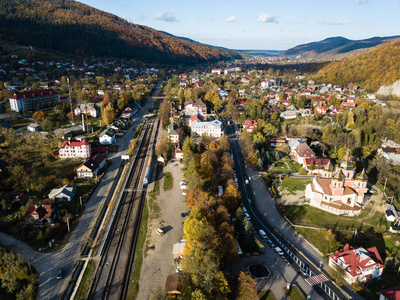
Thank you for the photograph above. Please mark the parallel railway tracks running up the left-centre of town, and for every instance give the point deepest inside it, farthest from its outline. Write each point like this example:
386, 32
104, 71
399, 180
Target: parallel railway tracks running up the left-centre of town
112, 277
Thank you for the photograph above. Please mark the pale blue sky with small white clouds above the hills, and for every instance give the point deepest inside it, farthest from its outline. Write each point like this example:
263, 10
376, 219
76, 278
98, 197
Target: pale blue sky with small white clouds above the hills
260, 25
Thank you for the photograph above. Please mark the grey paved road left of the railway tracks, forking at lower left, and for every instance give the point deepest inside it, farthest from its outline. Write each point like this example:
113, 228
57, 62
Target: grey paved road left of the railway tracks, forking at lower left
48, 264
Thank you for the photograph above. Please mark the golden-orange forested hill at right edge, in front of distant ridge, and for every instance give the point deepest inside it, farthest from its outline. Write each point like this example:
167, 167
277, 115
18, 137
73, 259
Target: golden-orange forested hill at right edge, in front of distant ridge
372, 69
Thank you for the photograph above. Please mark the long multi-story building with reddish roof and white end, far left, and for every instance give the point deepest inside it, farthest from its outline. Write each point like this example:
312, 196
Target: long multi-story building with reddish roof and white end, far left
34, 100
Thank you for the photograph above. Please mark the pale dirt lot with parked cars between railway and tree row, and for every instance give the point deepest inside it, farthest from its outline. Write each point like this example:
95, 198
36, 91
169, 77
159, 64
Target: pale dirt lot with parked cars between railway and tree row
165, 213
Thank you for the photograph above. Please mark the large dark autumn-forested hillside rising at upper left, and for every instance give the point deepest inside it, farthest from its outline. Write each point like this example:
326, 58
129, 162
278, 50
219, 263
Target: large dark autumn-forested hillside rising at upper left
71, 27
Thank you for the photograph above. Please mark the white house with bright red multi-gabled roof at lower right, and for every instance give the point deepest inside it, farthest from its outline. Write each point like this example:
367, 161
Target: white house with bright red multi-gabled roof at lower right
360, 265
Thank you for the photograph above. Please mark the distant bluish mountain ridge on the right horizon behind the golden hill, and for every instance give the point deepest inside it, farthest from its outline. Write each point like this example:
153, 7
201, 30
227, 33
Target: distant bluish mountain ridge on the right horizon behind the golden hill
336, 47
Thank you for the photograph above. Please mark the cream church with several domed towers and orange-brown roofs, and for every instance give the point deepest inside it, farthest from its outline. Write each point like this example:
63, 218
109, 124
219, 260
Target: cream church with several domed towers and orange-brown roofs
339, 190
